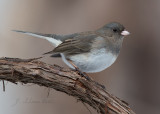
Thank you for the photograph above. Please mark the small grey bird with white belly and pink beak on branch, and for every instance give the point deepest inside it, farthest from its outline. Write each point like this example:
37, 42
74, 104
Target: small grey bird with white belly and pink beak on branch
91, 51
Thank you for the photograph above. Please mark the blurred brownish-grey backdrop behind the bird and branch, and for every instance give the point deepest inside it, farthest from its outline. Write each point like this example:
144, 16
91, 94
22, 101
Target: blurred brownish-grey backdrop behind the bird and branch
134, 77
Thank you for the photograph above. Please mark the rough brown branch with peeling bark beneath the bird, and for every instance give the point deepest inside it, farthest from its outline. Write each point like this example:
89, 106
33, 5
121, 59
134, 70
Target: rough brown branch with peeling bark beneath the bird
65, 80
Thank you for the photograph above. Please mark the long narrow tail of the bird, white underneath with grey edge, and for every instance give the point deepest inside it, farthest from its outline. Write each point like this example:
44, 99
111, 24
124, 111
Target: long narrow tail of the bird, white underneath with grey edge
49, 37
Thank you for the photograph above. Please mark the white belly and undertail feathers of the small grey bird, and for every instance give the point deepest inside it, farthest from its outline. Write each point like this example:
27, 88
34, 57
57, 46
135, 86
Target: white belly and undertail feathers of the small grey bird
96, 61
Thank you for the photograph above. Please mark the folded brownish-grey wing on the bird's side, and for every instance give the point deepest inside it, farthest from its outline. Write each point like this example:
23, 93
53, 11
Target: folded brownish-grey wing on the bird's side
79, 44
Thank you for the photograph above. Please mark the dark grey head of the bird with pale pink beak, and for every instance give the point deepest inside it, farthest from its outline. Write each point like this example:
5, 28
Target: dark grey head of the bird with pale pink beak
113, 29
